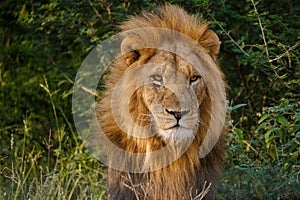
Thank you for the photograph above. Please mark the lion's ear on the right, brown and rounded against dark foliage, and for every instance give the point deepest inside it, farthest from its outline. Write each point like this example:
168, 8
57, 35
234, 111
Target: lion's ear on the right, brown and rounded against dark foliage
211, 42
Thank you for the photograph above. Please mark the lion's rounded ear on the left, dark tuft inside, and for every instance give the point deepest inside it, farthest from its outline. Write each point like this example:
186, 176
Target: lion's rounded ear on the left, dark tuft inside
130, 48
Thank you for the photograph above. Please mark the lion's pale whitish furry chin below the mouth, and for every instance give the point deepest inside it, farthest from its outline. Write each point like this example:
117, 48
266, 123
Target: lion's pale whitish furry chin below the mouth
177, 135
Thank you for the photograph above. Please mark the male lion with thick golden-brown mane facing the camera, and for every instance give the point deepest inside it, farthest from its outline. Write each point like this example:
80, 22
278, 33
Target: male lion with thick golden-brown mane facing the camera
164, 93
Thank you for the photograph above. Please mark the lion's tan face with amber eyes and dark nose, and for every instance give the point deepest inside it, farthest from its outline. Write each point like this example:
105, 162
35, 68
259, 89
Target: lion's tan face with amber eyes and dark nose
172, 96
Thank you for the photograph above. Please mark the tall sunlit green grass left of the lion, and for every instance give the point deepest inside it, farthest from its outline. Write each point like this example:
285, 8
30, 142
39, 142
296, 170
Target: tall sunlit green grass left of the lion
62, 170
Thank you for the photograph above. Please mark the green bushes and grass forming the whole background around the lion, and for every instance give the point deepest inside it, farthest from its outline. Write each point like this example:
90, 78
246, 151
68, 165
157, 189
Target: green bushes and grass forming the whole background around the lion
42, 44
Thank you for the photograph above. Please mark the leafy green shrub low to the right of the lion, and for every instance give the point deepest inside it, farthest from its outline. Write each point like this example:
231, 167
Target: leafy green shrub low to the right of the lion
265, 165
